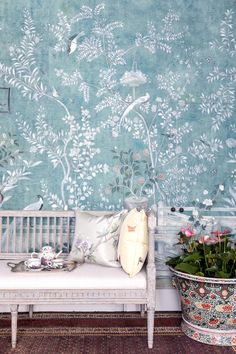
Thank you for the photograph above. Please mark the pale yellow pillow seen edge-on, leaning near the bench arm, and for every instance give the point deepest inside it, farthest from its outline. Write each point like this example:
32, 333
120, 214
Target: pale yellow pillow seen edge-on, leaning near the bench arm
133, 242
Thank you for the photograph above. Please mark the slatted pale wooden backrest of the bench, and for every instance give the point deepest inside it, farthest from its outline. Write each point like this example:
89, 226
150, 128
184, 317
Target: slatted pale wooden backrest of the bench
23, 232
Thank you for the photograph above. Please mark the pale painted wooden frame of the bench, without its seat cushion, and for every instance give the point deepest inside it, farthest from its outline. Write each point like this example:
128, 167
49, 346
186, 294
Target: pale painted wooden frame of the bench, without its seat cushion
23, 232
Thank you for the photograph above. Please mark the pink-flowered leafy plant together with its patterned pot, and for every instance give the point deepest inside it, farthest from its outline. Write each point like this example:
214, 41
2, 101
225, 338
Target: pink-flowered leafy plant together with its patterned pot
205, 276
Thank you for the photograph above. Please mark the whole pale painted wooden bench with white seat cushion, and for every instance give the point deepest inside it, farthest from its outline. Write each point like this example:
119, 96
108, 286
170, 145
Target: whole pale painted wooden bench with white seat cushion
23, 232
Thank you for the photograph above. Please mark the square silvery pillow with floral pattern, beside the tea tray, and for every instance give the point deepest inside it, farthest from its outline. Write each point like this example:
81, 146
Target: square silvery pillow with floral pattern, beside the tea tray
96, 238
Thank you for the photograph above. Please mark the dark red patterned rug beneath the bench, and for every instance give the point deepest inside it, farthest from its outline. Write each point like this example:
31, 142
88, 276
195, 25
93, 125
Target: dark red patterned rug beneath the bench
100, 333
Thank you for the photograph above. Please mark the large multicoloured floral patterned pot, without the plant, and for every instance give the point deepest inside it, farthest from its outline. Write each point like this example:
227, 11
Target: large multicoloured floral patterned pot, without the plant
208, 308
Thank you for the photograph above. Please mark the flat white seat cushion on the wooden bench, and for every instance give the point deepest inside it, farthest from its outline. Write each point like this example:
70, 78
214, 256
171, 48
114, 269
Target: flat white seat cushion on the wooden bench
85, 276
